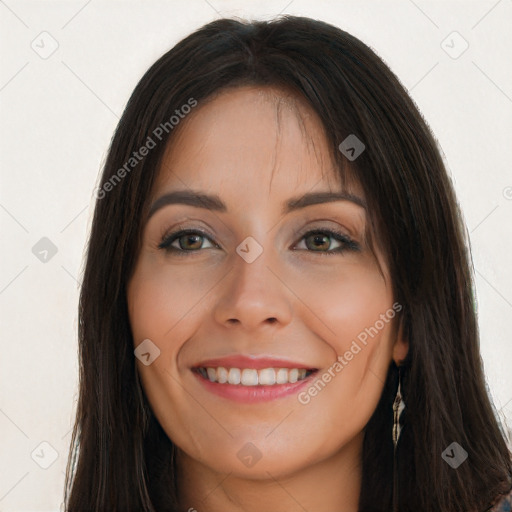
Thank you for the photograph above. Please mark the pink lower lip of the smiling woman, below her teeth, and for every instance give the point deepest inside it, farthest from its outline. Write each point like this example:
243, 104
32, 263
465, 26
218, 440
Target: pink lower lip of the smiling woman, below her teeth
253, 394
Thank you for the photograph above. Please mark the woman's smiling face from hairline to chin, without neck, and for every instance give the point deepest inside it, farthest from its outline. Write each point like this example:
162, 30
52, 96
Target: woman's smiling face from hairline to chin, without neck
262, 290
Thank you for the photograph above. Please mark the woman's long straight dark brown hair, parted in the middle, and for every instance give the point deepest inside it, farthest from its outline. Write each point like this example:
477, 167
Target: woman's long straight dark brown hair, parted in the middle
120, 458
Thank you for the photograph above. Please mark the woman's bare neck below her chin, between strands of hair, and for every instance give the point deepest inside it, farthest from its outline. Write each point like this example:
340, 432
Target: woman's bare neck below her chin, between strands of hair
331, 484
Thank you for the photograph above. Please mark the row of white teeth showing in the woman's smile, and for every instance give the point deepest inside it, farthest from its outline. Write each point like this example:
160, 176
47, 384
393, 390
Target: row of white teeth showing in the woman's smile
252, 377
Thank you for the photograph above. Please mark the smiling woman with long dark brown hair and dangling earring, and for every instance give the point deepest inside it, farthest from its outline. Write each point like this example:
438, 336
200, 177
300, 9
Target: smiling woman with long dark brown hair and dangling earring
225, 363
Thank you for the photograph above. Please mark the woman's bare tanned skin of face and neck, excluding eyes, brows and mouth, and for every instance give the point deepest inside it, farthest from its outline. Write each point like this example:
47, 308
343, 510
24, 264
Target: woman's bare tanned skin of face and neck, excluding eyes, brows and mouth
256, 148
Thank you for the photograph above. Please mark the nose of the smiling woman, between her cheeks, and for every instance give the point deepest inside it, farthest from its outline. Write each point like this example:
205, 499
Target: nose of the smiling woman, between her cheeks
254, 295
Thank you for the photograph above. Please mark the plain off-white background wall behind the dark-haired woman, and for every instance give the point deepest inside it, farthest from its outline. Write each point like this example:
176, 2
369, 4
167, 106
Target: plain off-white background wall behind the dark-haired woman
58, 115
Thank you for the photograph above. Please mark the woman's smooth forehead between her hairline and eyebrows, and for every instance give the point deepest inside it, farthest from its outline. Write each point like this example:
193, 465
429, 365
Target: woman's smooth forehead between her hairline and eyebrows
249, 138
